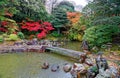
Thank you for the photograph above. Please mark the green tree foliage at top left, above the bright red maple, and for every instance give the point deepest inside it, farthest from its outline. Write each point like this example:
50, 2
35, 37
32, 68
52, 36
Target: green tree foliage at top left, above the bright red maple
33, 9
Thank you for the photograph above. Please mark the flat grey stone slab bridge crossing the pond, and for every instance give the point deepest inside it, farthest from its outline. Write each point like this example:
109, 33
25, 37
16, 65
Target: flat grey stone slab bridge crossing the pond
65, 52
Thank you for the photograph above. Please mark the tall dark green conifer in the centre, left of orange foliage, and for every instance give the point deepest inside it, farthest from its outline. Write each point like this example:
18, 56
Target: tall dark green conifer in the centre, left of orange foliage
60, 14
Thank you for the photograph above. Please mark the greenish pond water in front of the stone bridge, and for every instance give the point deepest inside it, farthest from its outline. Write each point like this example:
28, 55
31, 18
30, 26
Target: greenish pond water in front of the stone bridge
28, 65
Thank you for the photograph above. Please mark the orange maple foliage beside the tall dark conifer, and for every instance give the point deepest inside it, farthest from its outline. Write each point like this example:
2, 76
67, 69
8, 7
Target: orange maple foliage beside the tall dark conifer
73, 16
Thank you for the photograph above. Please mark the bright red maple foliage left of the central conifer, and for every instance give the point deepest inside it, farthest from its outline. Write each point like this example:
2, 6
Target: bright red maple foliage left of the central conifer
42, 27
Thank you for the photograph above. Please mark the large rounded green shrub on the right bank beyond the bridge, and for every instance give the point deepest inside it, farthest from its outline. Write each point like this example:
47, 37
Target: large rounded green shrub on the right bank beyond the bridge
99, 35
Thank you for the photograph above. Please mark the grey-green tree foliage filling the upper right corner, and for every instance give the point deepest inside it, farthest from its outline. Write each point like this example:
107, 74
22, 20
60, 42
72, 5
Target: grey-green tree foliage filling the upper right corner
99, 9
